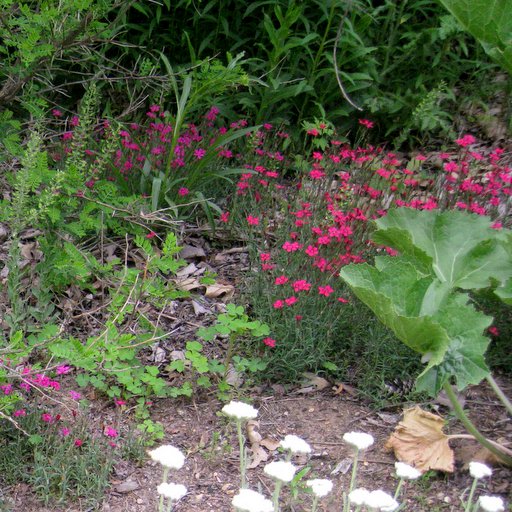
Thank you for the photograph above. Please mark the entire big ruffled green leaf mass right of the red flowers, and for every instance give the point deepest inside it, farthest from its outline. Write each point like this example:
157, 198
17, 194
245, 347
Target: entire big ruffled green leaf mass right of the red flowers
417, 294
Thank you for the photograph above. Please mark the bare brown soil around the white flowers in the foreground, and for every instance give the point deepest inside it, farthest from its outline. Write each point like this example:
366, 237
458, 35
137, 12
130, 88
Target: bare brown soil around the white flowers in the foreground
211, 469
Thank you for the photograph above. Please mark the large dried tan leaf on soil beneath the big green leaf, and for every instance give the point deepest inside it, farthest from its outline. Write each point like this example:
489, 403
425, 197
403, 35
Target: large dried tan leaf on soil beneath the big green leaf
419, 441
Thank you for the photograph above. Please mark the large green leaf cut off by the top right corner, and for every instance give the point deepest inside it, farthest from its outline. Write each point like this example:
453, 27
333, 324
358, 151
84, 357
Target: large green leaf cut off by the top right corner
490, 23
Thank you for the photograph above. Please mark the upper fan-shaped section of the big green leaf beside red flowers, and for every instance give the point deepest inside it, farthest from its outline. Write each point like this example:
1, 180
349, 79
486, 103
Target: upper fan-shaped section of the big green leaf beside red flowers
464, 251
